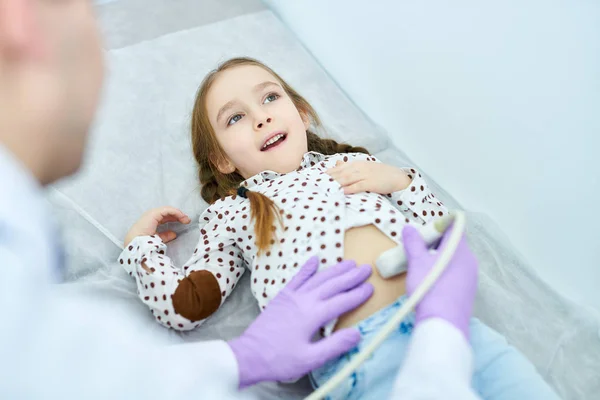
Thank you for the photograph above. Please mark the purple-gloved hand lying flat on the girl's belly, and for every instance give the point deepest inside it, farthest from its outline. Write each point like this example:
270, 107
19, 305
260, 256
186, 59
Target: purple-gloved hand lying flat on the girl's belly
277, 346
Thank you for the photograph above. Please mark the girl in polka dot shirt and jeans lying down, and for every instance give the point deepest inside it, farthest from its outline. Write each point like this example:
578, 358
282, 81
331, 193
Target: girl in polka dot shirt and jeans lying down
278, 194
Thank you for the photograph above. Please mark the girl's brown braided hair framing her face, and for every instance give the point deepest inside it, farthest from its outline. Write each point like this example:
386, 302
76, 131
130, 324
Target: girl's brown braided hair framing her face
208, 153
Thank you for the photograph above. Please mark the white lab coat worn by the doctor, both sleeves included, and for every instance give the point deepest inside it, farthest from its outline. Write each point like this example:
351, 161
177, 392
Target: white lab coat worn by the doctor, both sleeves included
66, 347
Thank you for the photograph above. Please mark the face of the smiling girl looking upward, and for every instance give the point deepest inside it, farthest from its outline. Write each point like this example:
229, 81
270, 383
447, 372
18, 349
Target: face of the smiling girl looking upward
255, 122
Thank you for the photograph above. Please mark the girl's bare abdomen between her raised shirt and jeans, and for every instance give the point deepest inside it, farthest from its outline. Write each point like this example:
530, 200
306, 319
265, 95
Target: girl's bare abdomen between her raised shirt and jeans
364, 245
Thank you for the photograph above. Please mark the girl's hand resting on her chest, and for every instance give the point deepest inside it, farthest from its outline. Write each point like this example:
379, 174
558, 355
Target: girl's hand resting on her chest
368, 176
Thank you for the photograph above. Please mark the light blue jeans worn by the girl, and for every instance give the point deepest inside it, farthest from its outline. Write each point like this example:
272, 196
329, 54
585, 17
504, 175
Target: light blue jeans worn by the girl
501, 372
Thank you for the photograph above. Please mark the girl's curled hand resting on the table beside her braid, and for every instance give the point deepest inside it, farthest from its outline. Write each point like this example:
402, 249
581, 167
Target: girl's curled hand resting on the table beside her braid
152, 219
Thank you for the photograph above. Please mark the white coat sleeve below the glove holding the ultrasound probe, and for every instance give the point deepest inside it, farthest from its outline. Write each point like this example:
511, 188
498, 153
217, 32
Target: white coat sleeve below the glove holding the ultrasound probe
438, 364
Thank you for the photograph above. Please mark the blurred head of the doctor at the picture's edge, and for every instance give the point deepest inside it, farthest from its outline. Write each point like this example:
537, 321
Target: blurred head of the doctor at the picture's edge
51, 73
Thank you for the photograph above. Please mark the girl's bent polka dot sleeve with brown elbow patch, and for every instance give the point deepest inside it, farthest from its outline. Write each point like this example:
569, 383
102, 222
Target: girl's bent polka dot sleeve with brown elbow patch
182, 298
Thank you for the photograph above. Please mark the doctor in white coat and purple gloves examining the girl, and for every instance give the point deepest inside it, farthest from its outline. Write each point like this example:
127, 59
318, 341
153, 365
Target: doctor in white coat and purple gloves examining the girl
50, 77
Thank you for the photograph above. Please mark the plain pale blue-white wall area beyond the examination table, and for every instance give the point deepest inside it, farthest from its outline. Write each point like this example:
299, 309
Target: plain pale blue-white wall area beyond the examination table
499, 102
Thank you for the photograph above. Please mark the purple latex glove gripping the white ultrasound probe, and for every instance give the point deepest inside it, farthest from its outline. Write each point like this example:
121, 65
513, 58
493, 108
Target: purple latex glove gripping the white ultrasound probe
451, 297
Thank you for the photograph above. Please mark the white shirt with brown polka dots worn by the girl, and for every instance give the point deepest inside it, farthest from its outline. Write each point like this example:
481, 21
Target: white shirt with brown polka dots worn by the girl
315, 214
